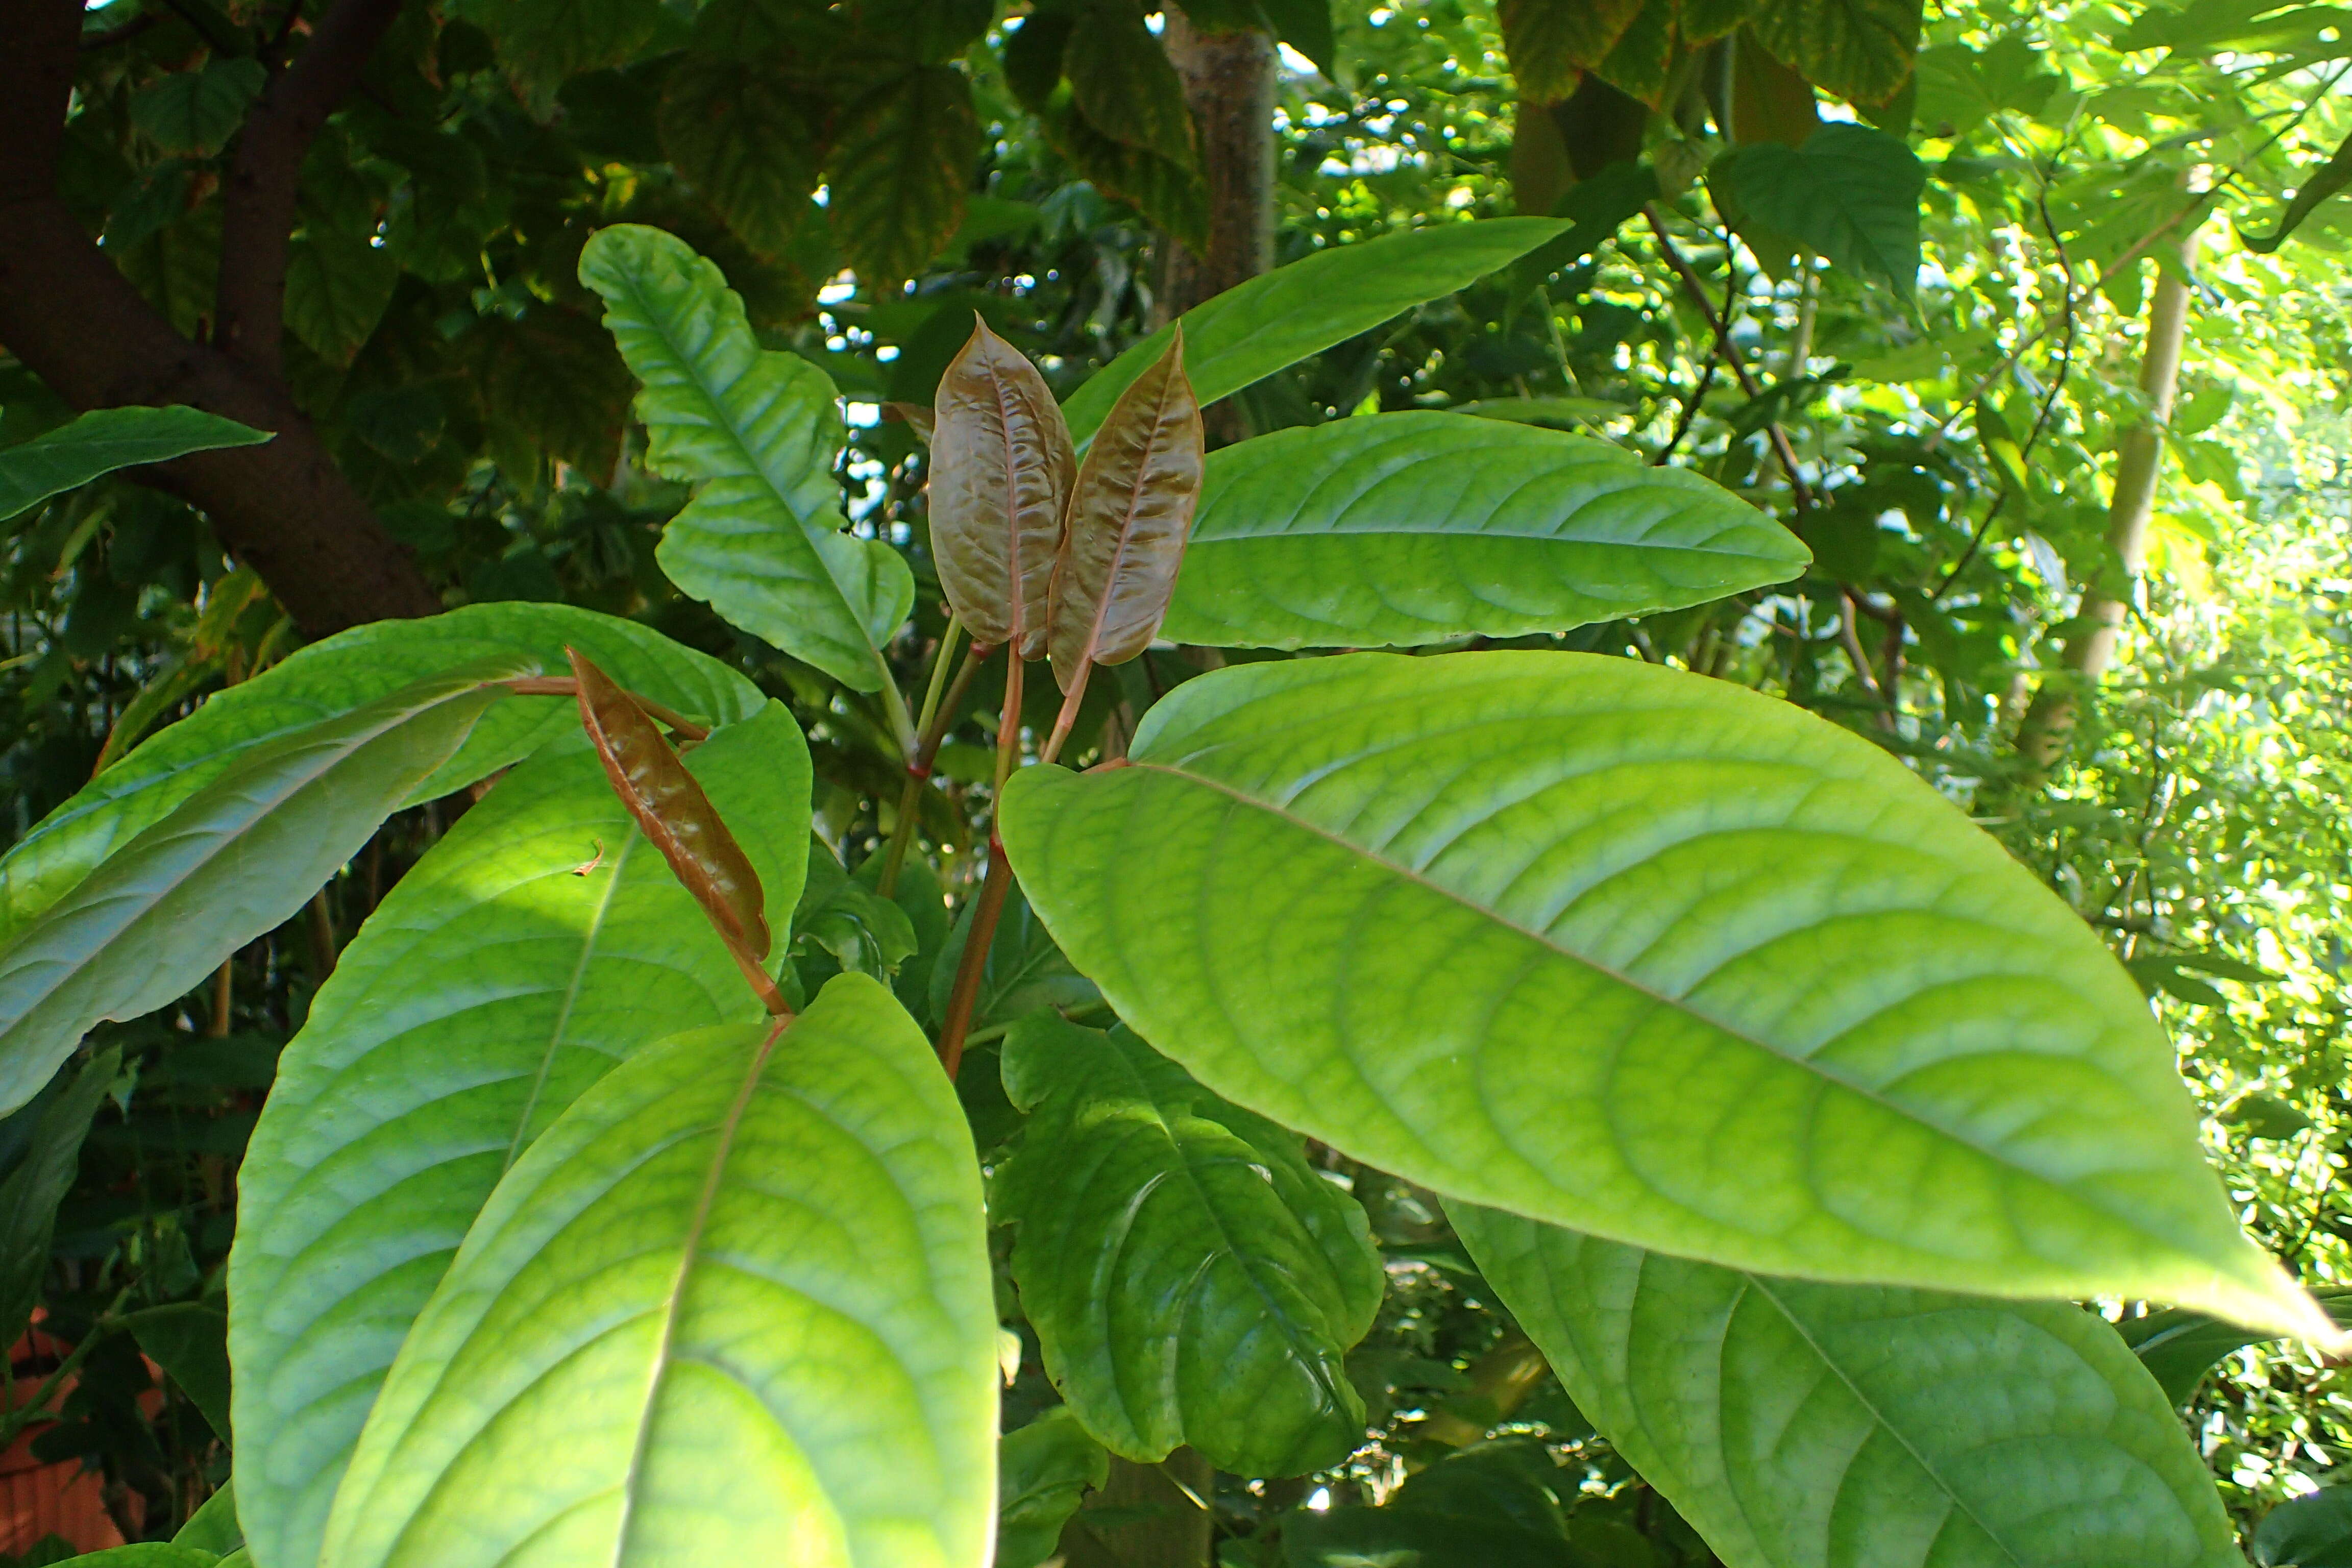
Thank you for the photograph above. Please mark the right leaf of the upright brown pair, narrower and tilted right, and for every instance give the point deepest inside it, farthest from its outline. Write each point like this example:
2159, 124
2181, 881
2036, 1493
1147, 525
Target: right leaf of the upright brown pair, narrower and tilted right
1130, 516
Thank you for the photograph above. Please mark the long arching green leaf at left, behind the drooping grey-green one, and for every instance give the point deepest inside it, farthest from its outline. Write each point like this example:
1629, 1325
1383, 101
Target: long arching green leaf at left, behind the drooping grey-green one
338, 678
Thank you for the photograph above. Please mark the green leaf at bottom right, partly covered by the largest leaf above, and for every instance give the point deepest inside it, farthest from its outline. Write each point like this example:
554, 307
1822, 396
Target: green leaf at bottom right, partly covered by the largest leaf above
1803, 1426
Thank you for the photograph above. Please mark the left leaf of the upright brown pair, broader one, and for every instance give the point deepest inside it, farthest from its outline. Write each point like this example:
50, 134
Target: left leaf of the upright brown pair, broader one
1001, 481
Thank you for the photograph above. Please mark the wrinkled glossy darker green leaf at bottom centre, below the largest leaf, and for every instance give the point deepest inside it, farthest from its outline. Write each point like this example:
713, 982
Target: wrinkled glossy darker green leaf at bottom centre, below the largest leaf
1189, 1275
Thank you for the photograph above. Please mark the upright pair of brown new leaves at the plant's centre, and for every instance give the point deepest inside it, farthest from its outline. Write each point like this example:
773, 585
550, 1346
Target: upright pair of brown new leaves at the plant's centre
1048, 556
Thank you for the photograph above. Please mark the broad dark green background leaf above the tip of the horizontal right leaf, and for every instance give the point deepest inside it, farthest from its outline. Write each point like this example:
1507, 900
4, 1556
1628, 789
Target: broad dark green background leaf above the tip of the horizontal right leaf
1850, 194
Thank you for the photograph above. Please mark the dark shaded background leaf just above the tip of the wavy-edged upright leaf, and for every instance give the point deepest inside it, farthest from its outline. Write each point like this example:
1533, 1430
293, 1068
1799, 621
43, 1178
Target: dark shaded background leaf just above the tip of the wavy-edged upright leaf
740, 130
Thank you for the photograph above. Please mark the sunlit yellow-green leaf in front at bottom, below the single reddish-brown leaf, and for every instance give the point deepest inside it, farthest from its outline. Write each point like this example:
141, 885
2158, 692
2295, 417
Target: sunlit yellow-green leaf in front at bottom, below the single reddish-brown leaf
733, 1308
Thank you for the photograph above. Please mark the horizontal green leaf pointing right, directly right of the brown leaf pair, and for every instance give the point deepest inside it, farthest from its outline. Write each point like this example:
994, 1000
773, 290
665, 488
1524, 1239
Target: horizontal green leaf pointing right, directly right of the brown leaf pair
1417, 528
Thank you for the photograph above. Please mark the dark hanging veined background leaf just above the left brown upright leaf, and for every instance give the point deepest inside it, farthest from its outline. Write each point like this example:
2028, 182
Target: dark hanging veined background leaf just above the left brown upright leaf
900, 170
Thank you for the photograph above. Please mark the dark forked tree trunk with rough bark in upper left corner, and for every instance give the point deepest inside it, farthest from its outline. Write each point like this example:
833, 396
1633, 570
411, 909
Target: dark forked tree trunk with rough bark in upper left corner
72, 319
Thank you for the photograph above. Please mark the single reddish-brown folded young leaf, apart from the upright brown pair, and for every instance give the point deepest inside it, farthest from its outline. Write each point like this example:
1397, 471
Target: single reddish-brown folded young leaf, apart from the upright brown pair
676, 817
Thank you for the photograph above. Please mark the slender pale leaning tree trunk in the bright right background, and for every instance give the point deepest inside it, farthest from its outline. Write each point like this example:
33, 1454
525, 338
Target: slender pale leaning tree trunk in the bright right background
2139, 457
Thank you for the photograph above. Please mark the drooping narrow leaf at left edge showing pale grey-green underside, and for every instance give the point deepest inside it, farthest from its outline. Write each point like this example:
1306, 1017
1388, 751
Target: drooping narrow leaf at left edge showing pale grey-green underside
229, 864
